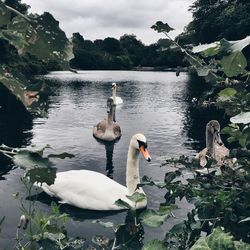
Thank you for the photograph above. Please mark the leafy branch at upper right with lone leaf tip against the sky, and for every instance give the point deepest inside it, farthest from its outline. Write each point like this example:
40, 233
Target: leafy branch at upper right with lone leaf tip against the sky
223, 65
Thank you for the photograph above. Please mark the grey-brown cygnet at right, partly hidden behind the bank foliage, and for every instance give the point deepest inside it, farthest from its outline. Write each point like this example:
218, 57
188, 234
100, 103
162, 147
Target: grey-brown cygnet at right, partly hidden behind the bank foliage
214, 145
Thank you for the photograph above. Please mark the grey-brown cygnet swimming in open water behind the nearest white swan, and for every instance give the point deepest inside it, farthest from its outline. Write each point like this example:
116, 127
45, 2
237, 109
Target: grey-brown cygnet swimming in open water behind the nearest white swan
107, 129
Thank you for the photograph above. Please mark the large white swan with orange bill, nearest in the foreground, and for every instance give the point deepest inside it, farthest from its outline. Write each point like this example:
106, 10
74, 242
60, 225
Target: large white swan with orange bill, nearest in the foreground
92, 190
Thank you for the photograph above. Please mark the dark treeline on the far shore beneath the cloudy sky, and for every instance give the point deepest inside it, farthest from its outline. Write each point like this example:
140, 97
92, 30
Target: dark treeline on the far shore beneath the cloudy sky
126, 53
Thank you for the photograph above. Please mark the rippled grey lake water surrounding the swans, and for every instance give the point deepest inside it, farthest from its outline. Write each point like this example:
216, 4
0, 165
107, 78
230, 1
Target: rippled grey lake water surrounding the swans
157, 104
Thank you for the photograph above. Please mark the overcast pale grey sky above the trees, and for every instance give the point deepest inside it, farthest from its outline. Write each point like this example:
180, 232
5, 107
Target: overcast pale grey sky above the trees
98, 19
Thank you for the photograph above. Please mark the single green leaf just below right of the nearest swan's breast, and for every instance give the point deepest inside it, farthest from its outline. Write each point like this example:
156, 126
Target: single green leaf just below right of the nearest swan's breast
152, 218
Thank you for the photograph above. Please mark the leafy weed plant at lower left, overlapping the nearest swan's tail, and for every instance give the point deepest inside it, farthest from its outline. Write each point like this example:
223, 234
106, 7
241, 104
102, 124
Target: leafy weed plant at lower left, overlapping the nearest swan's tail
38, 229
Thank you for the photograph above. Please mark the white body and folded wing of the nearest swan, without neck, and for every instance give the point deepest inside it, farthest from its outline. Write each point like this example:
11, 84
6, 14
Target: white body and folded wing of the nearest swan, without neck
87, 189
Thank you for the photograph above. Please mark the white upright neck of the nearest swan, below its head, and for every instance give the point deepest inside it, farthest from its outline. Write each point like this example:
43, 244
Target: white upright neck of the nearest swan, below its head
132, 175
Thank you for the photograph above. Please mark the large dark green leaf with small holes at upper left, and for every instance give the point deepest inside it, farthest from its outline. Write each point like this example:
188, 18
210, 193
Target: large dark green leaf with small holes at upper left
41, 37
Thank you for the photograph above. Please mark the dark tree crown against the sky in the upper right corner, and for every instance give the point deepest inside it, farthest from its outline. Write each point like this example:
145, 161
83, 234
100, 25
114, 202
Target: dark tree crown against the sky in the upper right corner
217, 19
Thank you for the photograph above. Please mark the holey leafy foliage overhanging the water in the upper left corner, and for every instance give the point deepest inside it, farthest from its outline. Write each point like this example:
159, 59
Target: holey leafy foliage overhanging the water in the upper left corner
29, 44
